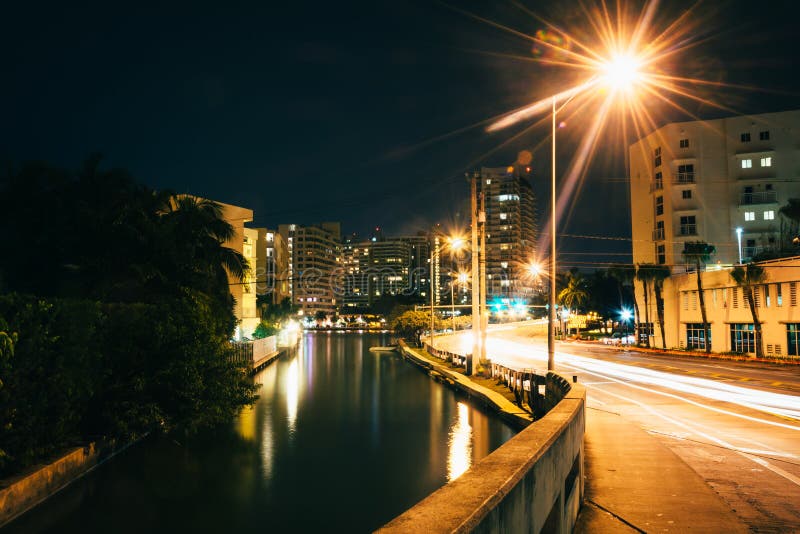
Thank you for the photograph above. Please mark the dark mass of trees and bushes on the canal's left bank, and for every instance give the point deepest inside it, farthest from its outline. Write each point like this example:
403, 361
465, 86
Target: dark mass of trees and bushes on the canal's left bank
115, 311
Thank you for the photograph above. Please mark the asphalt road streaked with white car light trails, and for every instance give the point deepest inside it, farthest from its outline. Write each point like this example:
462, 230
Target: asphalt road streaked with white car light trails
737, 424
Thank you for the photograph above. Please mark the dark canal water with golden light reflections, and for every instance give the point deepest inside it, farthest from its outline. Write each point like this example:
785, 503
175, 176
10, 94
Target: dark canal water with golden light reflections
340, 439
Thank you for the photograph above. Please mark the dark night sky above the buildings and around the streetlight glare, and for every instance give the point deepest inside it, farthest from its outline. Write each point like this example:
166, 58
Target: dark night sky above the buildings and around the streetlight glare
348, 111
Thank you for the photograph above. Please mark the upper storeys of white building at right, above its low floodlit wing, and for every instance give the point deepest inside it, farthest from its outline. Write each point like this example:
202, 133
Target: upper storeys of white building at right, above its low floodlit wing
703, 180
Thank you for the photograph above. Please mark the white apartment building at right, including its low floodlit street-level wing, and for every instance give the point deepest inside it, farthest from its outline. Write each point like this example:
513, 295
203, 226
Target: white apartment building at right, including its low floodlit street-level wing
721, 182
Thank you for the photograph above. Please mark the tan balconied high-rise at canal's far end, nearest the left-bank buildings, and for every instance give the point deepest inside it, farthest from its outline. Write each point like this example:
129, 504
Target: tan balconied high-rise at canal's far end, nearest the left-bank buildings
315, 265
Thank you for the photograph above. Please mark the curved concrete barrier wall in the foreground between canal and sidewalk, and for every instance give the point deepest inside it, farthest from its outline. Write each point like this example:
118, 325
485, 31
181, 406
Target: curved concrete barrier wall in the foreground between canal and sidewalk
532, 483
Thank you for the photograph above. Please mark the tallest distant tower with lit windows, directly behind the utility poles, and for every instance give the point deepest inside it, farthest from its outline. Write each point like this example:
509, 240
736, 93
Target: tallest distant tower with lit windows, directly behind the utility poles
510, 231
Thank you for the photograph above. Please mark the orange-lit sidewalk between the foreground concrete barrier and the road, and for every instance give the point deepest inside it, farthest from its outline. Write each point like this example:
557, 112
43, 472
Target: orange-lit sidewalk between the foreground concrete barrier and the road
635, 484
